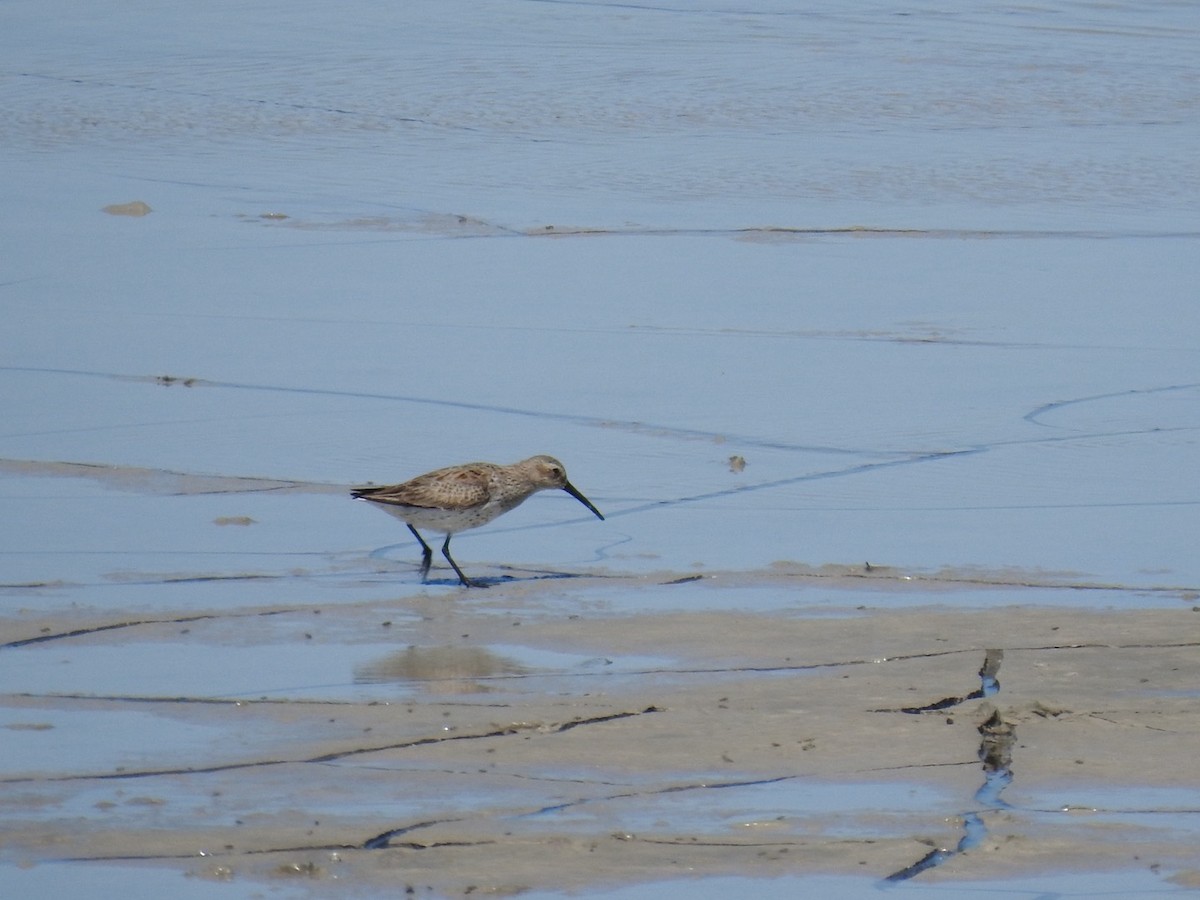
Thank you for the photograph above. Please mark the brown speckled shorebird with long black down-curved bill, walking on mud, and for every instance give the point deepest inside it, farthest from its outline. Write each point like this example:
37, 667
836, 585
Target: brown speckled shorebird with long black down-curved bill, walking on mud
460, 497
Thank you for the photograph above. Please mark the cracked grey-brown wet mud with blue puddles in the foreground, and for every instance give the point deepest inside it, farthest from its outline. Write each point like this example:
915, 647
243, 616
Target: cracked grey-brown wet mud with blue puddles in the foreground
543, 736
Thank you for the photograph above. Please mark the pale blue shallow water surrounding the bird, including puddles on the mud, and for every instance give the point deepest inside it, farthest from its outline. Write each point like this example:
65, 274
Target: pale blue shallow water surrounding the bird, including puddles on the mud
929, 272
